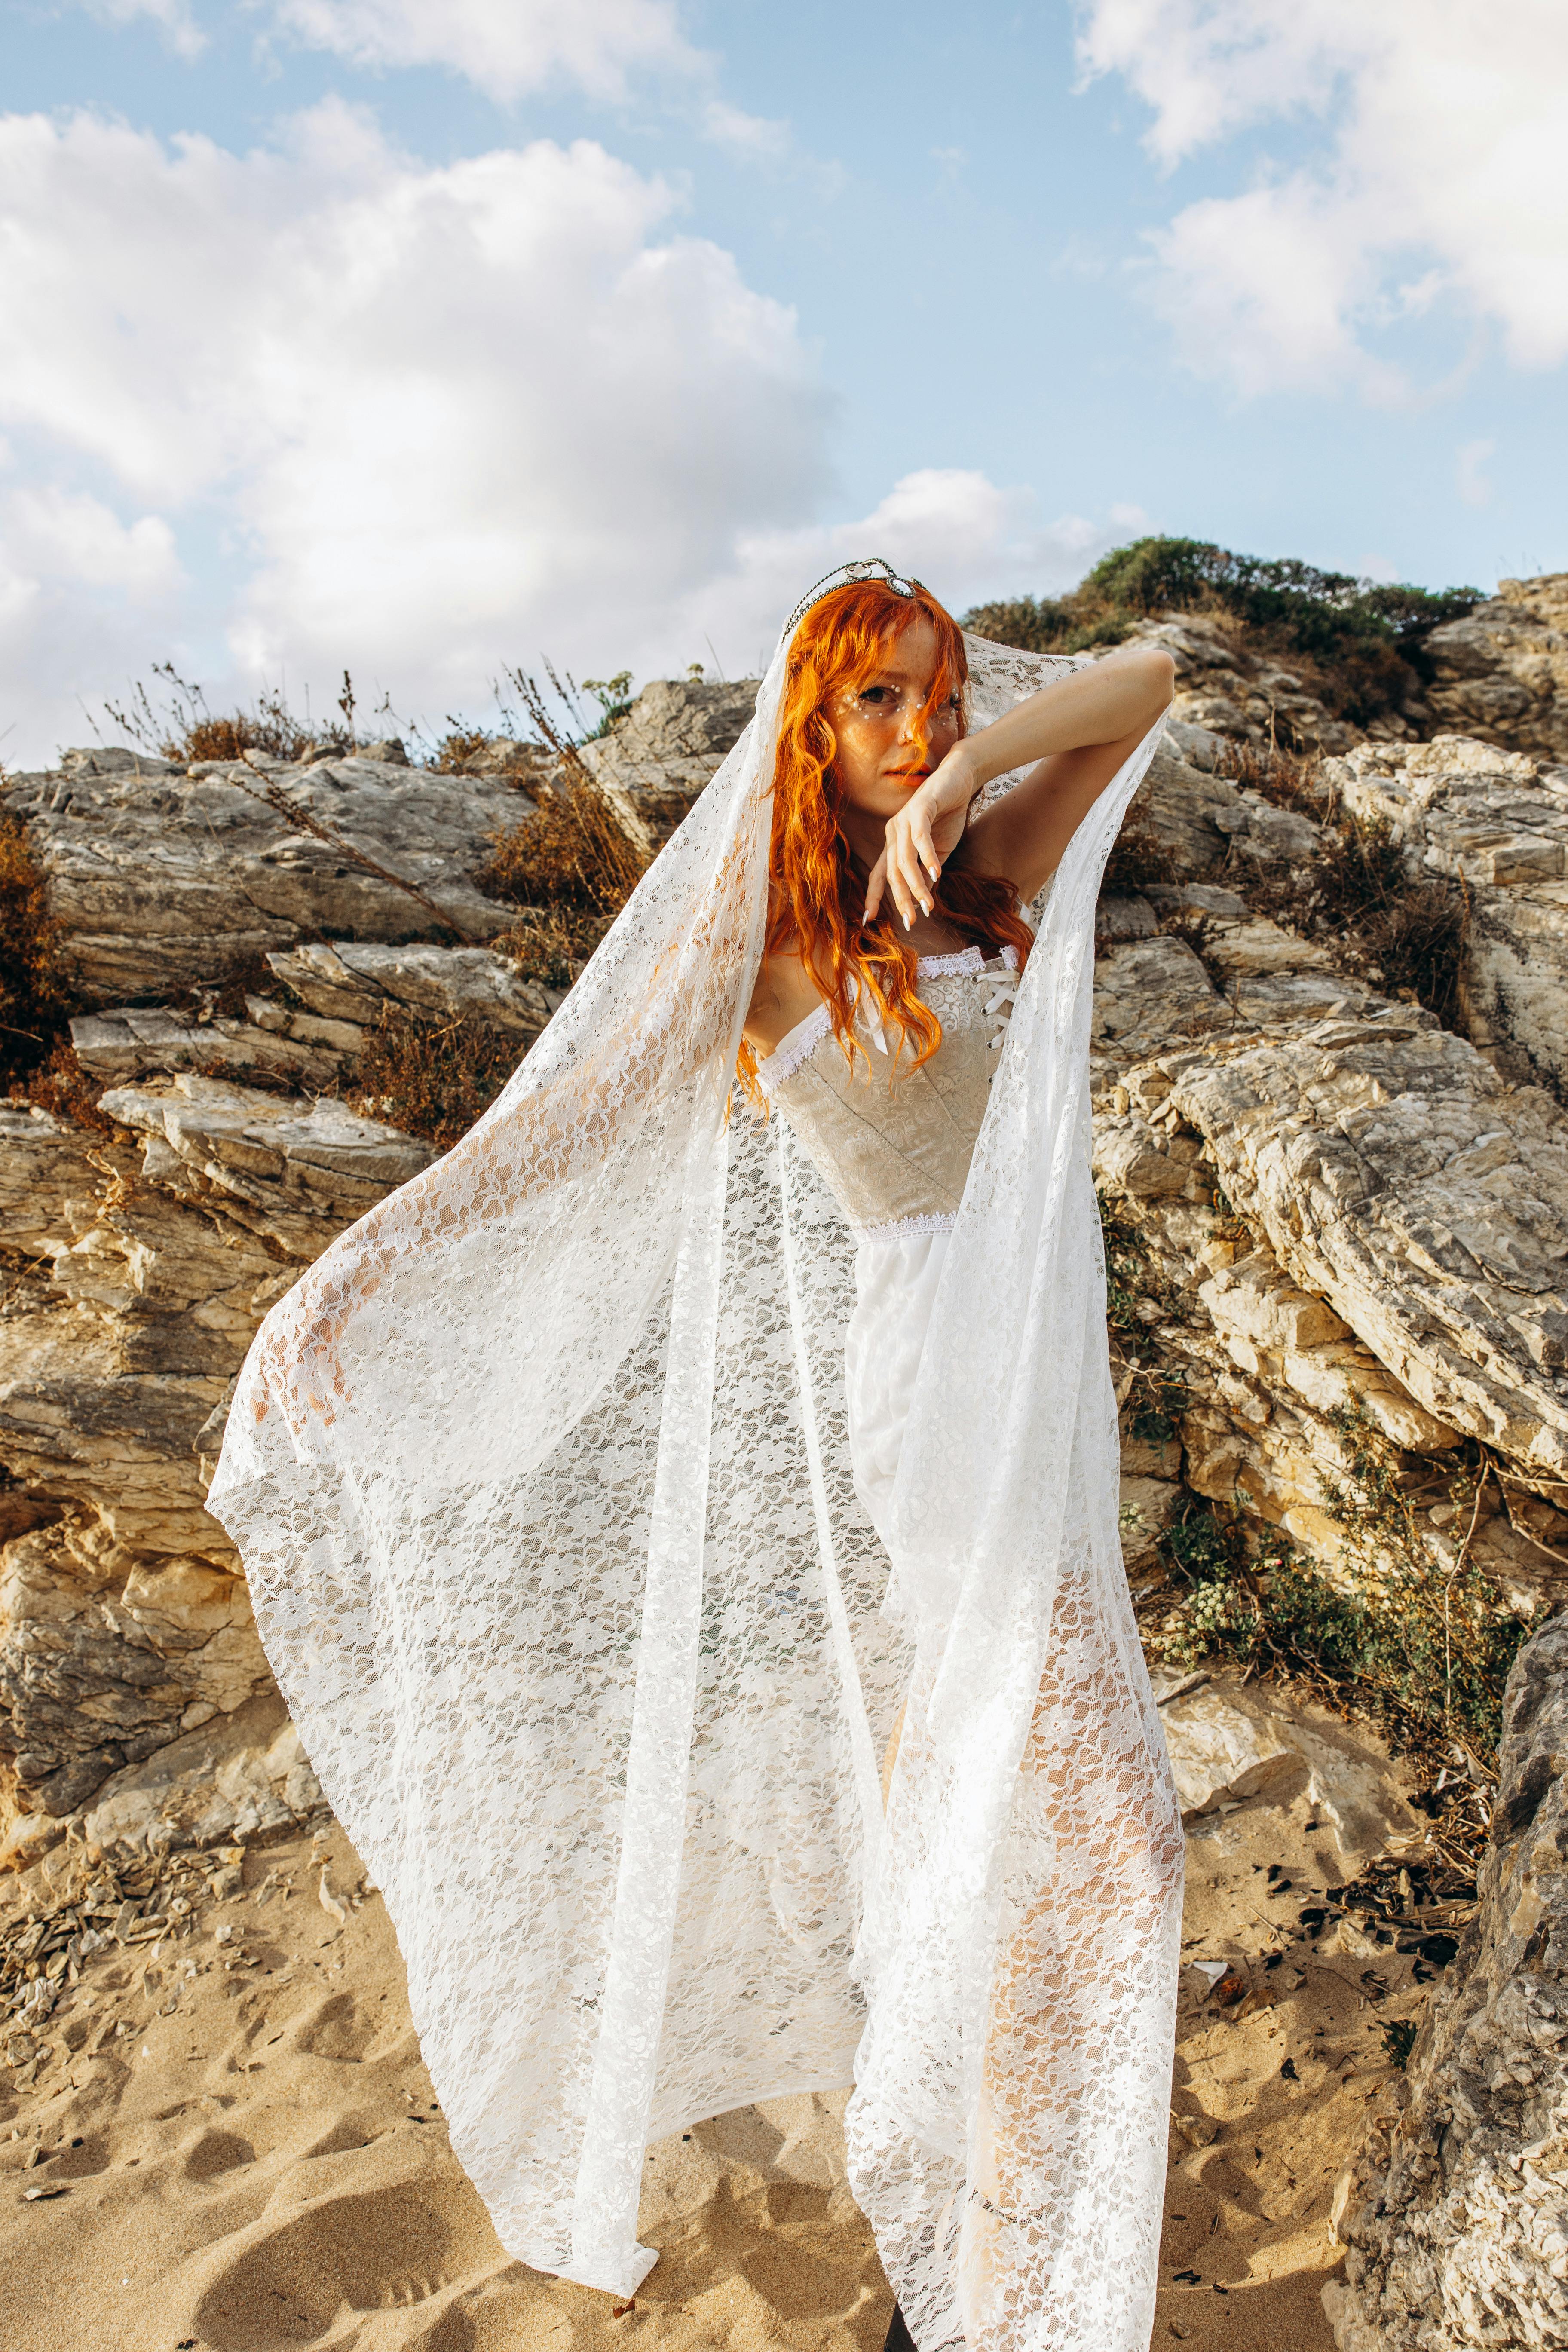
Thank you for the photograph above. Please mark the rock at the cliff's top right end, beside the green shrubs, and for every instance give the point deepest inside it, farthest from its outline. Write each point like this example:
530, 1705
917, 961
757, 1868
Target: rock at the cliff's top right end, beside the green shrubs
1503, 669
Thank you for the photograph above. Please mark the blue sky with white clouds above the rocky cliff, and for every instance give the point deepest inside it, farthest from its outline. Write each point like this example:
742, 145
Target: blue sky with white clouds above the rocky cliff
429, 335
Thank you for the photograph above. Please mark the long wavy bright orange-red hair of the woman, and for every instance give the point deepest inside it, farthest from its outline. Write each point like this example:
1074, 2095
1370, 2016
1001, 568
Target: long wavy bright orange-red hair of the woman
817, 883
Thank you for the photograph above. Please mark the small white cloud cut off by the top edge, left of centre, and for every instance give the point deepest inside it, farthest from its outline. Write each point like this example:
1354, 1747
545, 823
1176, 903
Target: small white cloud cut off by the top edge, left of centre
507, 48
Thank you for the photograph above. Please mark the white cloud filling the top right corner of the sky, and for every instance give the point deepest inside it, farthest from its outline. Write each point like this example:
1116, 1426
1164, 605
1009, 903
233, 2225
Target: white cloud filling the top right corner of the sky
1438, 178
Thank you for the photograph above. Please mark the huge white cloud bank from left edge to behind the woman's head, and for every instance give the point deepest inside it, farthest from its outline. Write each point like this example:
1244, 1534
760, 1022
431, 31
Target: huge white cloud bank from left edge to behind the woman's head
328, 406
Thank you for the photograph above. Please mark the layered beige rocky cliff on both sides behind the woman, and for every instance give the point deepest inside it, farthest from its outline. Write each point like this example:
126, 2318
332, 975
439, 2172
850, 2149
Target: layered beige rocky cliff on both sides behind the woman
1336, 1224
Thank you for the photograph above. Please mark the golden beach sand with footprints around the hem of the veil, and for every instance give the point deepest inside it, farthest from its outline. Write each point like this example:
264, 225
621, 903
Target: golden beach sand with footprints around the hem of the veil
241, 2151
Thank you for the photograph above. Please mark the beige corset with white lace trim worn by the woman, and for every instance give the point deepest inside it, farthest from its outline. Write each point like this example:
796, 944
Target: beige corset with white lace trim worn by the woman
894, 1142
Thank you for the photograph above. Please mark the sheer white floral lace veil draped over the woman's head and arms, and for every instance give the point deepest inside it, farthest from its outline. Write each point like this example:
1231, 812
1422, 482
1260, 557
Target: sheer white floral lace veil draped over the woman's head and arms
542, 1485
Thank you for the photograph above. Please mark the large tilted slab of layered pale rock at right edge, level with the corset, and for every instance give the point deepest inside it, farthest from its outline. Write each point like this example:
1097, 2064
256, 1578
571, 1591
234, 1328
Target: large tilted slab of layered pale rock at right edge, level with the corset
1400, 1180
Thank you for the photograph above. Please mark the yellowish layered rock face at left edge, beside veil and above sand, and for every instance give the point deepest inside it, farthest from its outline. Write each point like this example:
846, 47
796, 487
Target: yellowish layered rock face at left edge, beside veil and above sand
135, 1288
